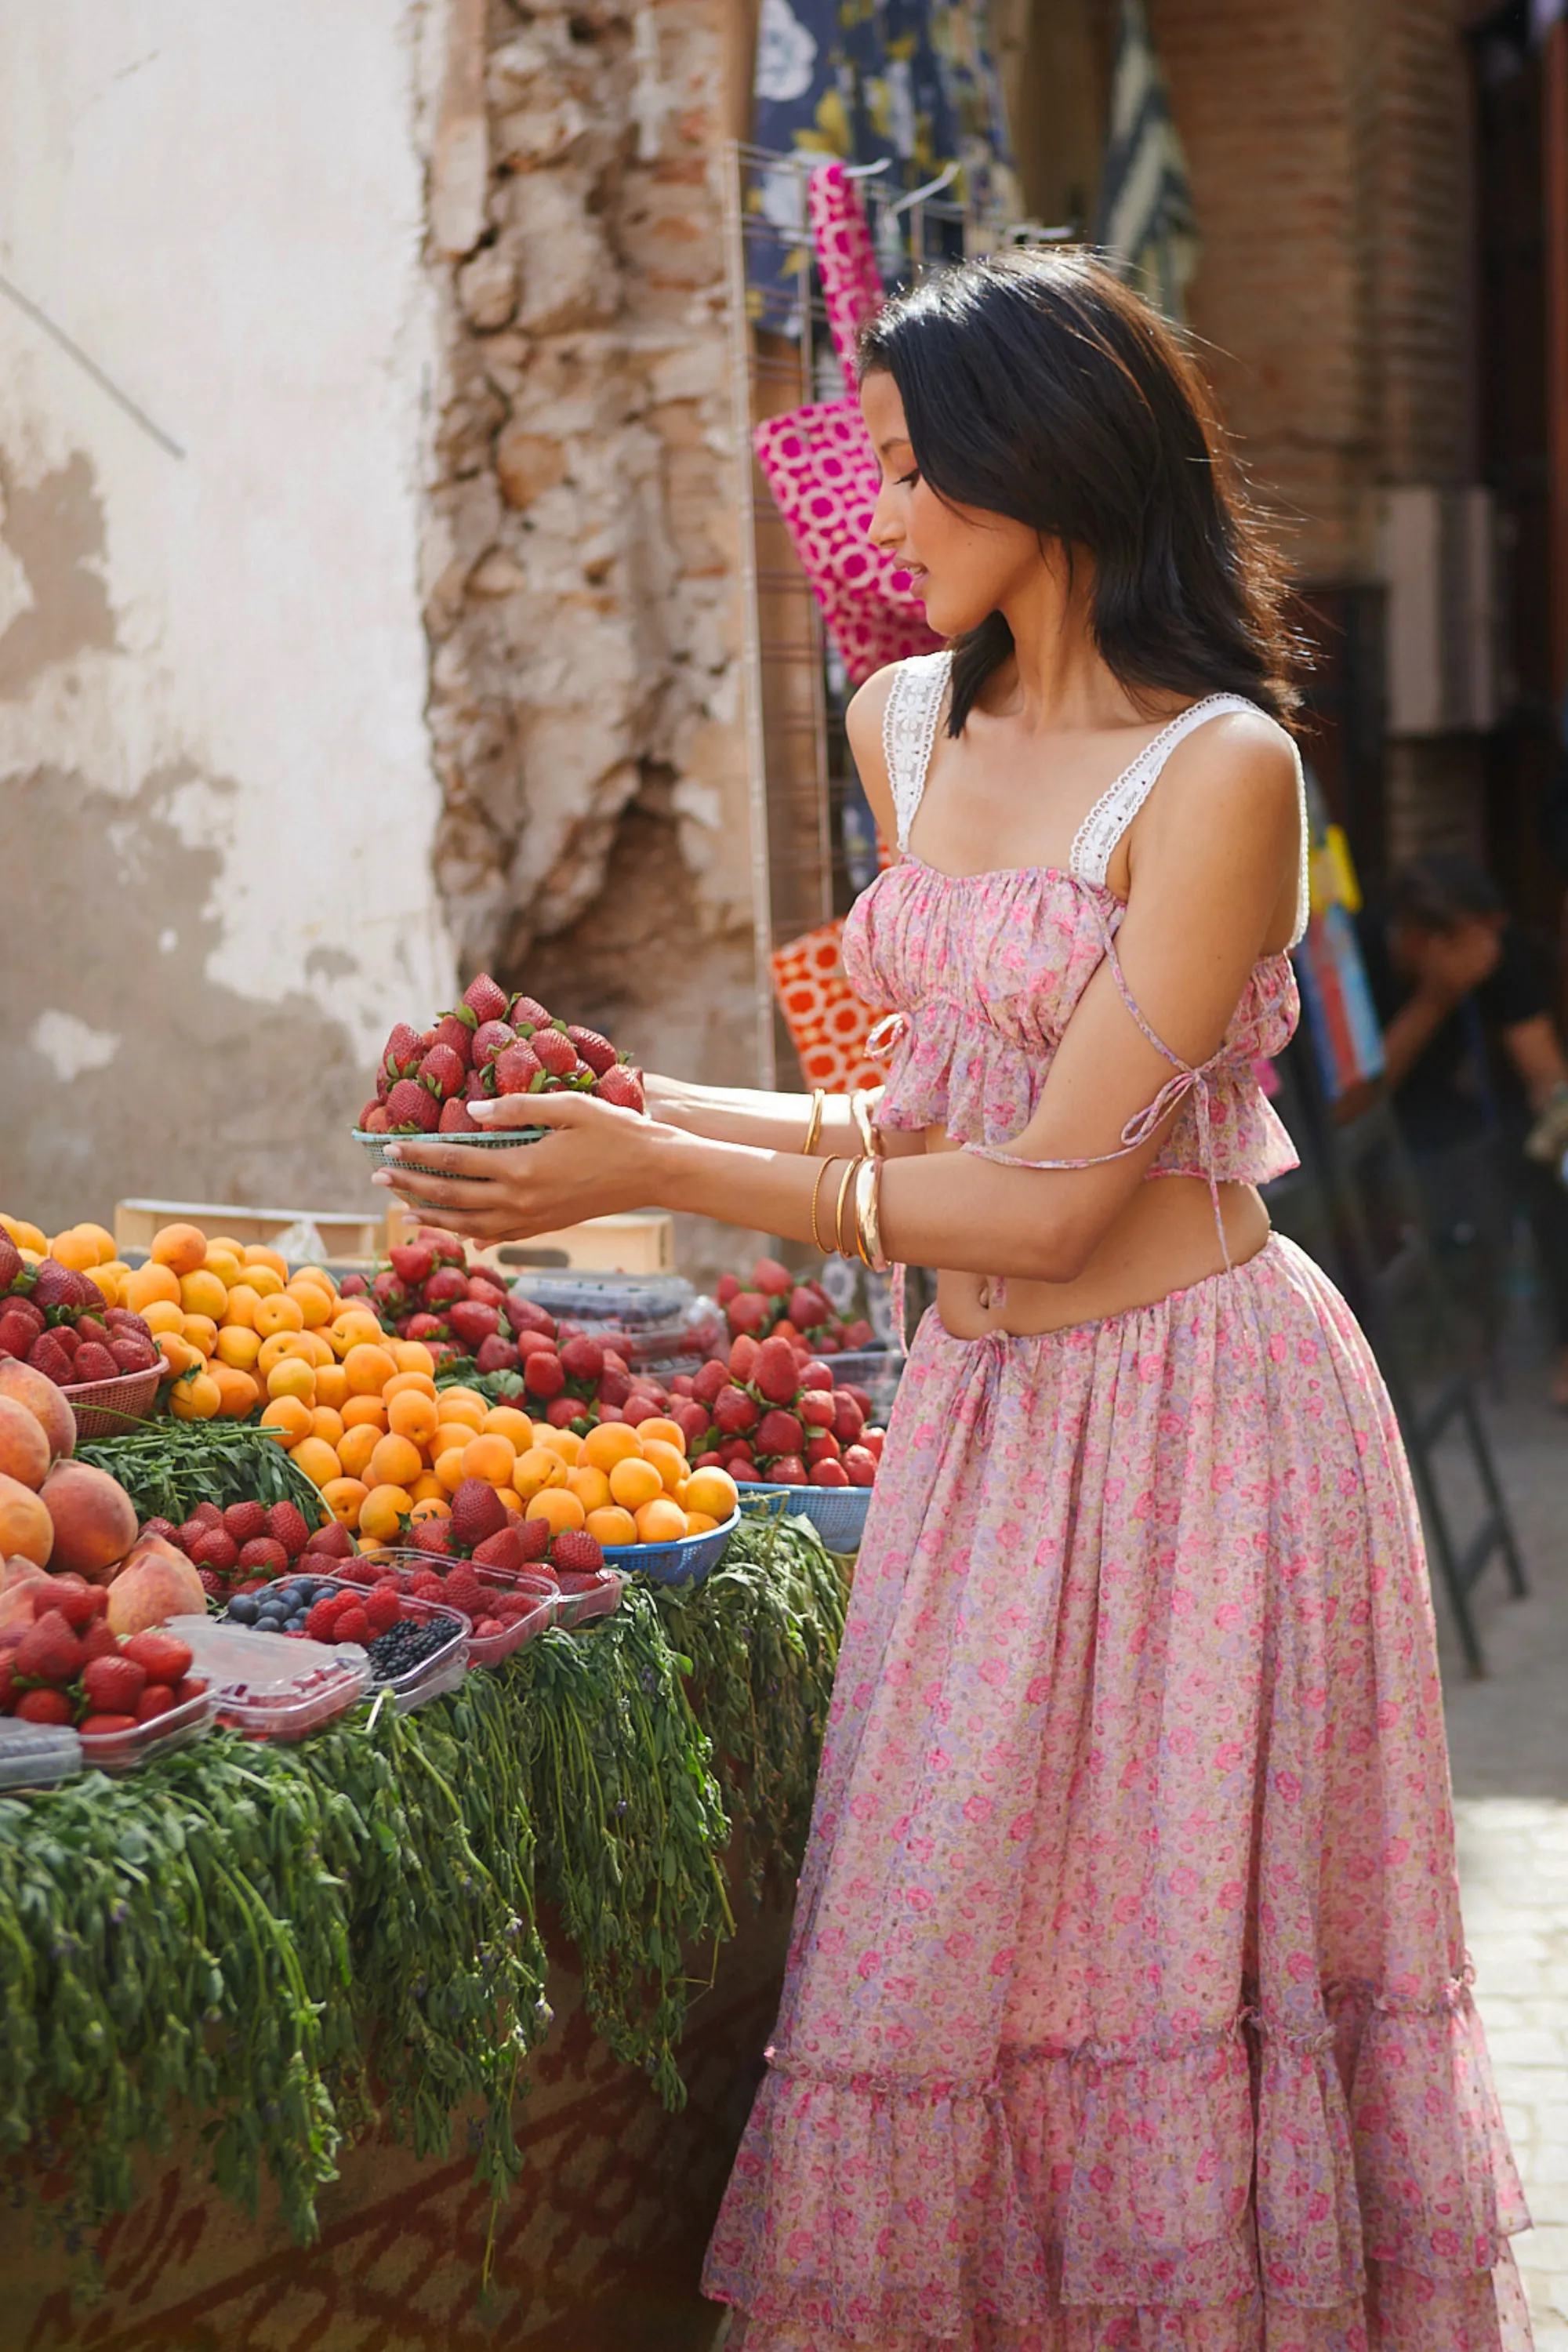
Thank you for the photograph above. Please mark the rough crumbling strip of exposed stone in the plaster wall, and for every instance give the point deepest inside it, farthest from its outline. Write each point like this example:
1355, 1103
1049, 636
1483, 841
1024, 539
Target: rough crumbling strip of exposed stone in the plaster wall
582, 556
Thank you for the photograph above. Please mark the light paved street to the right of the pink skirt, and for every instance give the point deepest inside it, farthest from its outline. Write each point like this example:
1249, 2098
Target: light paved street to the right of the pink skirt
1510, 1777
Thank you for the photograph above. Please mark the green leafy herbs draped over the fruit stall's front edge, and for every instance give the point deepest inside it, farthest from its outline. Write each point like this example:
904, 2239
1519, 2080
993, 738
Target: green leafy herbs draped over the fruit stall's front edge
297, 1944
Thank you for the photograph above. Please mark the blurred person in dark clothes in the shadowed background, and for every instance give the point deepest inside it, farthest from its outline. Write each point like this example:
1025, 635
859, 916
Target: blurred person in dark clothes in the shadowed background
1475, 1067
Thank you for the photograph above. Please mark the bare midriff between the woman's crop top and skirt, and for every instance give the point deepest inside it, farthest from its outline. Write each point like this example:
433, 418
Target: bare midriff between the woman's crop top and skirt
1165, 1241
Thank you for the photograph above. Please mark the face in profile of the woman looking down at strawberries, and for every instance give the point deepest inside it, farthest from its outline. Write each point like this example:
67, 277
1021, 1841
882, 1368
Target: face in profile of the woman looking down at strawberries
963, 561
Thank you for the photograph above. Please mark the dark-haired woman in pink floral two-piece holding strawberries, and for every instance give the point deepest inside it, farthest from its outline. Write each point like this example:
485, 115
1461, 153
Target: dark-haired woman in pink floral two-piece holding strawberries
1127, 2000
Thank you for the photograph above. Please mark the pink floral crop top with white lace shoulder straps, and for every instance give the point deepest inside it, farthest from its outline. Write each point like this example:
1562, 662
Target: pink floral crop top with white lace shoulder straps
984, 973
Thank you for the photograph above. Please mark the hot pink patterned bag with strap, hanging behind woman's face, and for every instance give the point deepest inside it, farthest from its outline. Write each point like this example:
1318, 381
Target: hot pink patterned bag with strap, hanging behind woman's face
824, 472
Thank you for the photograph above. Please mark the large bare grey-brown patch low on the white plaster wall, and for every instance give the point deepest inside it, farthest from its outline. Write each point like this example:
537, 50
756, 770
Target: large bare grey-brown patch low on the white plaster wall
123, 1067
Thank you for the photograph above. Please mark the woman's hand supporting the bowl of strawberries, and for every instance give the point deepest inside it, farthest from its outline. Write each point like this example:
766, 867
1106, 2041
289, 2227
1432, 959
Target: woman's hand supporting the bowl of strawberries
596, 1163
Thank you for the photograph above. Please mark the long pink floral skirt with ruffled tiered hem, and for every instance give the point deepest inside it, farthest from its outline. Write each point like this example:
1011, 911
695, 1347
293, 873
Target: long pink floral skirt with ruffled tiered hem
1127, 2005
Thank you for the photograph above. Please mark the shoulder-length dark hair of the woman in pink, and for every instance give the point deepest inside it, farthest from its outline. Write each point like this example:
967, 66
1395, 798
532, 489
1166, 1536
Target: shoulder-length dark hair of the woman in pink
1038, 387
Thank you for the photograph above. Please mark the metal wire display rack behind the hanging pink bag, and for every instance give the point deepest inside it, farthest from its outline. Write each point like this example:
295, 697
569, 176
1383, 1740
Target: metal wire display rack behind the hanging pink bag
803, 782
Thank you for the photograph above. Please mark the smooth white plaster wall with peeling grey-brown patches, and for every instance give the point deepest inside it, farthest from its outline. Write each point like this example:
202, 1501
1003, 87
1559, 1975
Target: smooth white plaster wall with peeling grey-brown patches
217, 808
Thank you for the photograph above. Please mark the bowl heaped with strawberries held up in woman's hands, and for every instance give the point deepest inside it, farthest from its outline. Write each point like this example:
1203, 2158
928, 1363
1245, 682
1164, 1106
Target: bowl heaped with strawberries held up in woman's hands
490, 1045
